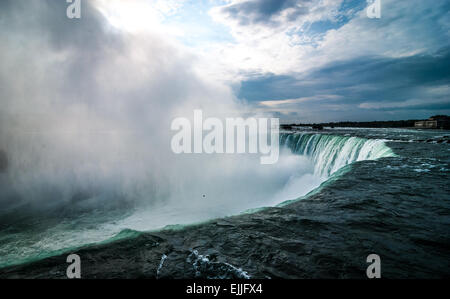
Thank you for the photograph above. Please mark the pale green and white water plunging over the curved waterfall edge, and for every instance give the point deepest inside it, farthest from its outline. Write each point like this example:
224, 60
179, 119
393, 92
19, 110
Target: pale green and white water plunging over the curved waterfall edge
227, 186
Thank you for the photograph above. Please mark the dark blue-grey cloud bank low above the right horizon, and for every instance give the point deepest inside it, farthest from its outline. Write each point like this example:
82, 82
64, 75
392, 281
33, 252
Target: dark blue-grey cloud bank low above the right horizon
418, 82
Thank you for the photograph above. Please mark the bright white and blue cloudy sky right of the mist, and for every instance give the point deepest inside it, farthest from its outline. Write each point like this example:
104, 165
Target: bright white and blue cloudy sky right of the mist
259, 41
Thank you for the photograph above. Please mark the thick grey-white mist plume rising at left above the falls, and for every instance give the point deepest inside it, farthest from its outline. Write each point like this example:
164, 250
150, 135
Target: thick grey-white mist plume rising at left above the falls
86, 108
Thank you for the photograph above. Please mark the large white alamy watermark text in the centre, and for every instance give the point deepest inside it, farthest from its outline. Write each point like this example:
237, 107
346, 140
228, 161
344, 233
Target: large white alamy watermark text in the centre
228, 138
